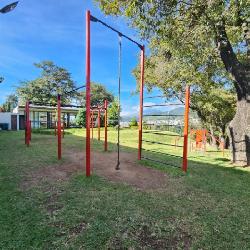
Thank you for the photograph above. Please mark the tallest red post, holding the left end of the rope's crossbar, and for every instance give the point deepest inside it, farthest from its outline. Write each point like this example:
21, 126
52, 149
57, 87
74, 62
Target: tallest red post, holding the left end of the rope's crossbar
88, 93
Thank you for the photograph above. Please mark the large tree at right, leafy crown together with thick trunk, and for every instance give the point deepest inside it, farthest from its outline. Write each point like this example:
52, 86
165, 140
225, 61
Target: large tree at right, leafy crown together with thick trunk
199, 40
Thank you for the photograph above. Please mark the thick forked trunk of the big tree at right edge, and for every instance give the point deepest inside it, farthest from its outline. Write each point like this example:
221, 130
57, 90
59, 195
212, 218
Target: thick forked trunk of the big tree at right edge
239, 128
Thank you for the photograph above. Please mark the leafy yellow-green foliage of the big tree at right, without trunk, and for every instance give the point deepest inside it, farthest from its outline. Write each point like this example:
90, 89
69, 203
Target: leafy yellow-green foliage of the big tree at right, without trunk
185, 49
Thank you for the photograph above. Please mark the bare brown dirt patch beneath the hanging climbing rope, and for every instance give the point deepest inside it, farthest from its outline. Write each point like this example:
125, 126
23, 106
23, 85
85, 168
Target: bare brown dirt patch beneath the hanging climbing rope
103, 164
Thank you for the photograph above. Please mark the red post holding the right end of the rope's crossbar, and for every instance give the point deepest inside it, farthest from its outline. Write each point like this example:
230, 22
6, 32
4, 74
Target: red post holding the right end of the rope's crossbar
141, 102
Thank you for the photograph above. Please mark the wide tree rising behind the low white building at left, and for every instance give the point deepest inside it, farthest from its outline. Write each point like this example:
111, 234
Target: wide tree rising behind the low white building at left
44, 89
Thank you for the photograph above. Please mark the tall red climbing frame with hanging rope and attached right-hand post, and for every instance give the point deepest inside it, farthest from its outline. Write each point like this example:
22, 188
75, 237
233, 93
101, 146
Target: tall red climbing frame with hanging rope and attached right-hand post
89, 19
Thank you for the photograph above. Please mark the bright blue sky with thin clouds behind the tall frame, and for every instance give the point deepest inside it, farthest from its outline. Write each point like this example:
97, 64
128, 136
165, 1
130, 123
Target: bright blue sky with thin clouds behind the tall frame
55, 30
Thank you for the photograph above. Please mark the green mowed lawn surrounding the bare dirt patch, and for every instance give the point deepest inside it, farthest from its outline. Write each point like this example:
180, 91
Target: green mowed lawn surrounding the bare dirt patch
207, 208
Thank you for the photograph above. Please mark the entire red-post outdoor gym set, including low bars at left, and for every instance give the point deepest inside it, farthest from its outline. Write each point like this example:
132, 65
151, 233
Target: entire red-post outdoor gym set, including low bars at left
90, 111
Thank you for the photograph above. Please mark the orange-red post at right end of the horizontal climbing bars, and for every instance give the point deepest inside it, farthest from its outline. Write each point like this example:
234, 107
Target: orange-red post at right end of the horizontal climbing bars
186, 121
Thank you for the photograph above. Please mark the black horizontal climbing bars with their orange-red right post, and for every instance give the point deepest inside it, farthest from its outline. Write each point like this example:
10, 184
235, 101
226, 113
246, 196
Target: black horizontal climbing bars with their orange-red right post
165, 131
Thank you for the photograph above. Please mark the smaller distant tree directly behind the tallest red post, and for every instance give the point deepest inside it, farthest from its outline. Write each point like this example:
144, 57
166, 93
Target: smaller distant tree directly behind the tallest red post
99, 94
